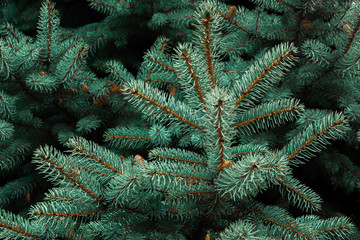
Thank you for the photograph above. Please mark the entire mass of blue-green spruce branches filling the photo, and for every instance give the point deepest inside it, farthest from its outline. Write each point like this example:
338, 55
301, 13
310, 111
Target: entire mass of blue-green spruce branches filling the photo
223, 120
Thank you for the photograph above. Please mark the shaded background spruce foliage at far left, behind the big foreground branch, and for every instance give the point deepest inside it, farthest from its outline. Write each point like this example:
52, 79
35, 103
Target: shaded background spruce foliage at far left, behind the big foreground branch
39, 87
